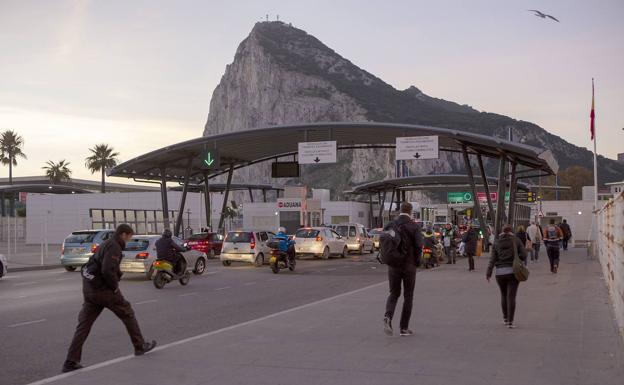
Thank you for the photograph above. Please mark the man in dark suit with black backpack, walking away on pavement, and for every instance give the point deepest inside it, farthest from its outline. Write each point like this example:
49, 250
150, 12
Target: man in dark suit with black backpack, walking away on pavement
401, 247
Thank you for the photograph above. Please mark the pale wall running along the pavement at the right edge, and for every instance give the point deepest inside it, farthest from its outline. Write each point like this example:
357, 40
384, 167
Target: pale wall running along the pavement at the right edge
611, 252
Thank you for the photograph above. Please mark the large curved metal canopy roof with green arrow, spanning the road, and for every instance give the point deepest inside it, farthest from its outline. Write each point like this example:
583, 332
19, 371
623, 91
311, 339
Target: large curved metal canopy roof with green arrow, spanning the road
243, 148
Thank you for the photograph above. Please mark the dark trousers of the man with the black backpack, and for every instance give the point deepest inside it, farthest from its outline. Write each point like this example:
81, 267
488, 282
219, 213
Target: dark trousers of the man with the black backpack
397, 277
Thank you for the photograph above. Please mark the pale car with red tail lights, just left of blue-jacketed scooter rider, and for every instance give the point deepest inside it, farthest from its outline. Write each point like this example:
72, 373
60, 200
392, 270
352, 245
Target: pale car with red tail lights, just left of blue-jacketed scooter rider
246, 246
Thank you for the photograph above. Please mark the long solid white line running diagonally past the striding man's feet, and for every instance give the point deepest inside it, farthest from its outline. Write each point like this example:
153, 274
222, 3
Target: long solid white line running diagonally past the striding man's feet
204, 335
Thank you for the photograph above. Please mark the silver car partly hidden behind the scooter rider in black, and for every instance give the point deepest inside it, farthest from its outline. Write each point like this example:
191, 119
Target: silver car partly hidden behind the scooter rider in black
140, 254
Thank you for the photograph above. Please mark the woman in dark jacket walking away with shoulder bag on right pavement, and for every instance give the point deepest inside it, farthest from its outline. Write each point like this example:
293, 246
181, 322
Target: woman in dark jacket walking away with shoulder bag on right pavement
502, 258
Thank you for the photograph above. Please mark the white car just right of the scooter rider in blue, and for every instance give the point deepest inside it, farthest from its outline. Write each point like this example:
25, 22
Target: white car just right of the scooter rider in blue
321, 242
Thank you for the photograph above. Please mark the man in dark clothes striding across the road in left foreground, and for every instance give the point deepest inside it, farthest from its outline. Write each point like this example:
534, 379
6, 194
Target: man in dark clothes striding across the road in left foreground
100, 288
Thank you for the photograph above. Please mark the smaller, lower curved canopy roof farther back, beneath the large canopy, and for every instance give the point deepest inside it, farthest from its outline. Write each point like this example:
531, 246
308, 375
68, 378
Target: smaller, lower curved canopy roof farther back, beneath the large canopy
426, 182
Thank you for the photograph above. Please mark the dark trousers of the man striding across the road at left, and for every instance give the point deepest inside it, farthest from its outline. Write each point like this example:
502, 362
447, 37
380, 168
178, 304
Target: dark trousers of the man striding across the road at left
94, 303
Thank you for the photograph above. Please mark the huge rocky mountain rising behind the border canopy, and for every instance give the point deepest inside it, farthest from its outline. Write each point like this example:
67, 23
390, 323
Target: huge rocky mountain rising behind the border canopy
282, 75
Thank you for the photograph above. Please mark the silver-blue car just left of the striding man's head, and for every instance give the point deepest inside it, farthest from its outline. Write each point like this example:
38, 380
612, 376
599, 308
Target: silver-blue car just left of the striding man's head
79, 246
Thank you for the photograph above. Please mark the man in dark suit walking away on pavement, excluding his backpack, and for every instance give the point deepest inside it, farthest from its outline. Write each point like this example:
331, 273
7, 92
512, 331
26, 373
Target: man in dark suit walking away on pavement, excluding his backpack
406, 274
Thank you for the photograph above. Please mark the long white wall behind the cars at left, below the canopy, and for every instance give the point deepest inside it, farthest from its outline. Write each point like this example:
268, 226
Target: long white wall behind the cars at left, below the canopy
55, 216
